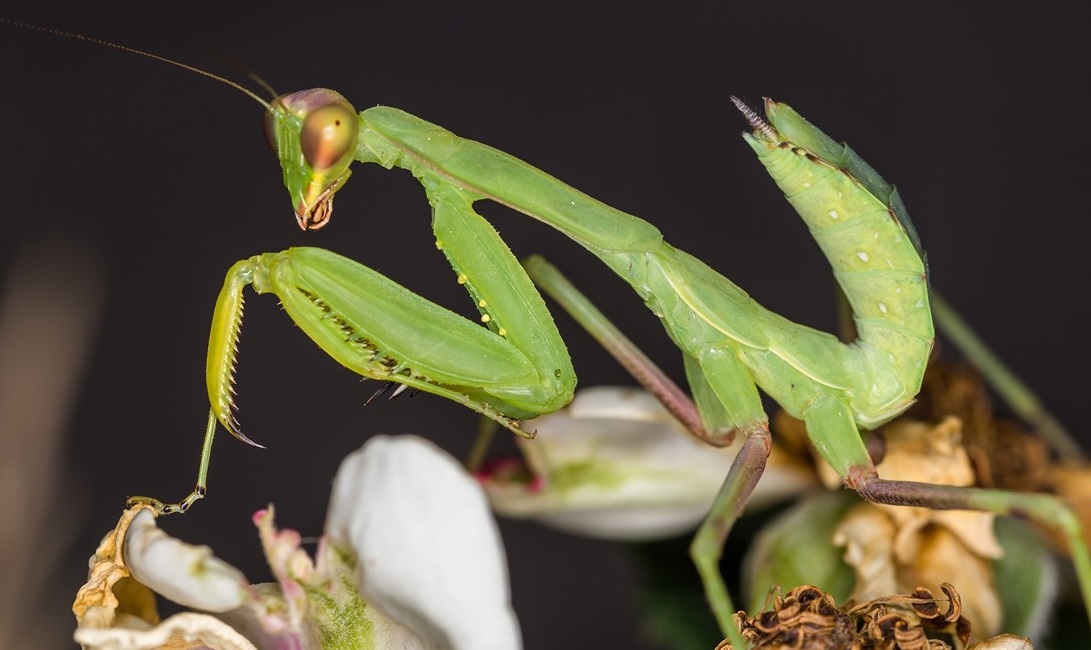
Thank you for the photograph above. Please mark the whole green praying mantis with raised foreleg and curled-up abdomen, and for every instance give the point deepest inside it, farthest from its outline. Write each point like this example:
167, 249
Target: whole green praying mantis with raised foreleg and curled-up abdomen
513, 365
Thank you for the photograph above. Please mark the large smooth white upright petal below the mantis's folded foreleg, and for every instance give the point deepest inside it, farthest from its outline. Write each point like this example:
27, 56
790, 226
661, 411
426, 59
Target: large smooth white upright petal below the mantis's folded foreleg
428, 550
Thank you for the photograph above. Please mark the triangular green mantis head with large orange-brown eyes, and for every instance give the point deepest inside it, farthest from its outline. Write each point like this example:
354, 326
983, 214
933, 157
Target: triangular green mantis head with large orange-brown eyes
314, 134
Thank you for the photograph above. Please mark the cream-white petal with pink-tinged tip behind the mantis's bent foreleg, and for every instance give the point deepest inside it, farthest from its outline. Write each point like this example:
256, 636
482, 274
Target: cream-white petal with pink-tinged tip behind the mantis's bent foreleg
616, 465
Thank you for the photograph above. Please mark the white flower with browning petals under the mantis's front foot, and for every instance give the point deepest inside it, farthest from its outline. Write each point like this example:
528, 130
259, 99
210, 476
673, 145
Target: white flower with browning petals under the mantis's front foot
411, 559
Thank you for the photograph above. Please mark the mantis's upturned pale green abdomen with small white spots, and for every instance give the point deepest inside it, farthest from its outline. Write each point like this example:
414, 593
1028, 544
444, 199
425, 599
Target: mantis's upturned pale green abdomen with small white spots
860, 224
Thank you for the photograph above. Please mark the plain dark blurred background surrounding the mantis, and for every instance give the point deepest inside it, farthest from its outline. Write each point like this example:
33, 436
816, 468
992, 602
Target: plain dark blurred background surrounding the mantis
978, 115
